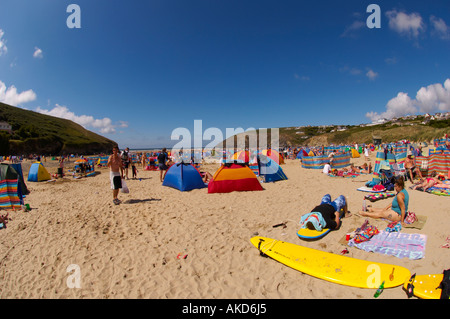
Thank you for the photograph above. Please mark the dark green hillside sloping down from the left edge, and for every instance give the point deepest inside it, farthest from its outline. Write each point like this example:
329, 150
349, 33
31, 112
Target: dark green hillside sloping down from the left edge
36, 133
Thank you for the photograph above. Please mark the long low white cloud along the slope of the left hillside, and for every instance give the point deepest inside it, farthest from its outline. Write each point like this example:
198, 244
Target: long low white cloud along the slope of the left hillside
104, 126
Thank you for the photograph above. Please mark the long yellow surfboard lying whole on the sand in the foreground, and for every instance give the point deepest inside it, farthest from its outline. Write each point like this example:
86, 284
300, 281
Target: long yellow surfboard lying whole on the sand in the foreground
331, 267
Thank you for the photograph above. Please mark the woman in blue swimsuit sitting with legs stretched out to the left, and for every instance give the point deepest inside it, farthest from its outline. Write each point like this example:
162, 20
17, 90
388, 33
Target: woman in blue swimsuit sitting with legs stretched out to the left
397, 210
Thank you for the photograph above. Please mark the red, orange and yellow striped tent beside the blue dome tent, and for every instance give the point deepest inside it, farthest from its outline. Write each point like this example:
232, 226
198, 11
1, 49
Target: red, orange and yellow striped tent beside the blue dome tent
233, 177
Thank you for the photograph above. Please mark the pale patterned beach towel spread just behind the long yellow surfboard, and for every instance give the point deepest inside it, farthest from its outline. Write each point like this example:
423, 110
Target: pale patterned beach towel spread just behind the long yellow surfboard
396, 244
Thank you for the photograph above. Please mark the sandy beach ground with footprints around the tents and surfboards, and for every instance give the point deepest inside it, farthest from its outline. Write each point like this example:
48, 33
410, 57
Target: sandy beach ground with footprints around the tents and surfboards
130, 250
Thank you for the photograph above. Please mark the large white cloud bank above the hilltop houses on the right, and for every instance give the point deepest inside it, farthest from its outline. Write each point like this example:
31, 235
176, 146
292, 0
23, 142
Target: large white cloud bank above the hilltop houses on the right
430, 99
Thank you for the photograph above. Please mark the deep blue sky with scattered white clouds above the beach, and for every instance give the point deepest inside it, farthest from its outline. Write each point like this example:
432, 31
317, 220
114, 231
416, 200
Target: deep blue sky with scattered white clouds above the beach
136, 70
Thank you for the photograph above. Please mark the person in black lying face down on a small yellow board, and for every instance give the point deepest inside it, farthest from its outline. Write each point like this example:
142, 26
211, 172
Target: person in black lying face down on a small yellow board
326, 215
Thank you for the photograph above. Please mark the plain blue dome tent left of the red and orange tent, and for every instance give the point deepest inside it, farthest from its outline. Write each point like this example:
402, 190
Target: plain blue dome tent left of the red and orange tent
184, 177
